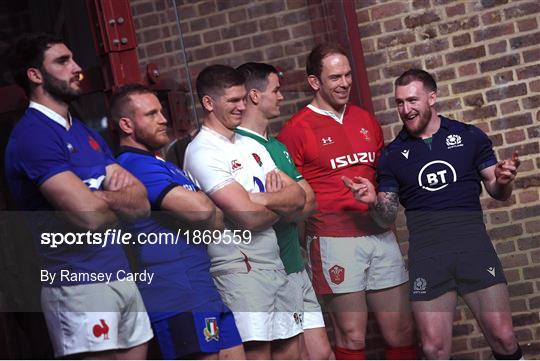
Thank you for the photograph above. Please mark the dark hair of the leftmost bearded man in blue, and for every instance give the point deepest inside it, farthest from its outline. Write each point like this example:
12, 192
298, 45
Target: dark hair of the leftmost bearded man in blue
28, 51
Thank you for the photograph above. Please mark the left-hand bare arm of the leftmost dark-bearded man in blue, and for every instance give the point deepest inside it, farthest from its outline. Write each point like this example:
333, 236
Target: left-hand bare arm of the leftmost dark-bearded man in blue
66, 192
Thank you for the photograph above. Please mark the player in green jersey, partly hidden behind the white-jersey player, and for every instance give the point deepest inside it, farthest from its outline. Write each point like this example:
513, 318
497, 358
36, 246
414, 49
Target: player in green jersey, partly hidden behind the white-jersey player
263, 100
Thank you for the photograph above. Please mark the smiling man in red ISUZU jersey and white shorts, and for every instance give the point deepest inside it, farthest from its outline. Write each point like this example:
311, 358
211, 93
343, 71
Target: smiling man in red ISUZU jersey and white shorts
352, 259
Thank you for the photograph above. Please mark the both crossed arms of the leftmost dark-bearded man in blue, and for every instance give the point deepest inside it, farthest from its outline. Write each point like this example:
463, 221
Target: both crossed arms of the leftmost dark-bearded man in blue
123, 196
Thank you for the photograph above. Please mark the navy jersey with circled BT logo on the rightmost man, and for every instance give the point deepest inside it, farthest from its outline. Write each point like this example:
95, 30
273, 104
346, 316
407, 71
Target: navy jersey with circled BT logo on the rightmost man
439, 187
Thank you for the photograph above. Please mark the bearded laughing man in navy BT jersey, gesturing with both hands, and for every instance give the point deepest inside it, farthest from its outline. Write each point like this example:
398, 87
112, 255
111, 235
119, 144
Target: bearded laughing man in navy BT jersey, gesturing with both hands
435, 166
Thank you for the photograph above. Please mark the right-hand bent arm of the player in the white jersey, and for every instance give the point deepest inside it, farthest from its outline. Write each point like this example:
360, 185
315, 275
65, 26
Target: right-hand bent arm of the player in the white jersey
286, 200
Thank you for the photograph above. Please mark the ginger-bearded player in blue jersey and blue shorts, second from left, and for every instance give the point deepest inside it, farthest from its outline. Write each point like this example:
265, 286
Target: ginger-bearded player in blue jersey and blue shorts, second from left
187, 314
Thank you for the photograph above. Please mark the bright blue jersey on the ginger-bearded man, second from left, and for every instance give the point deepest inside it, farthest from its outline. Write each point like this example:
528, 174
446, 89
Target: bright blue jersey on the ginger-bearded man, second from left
182, 277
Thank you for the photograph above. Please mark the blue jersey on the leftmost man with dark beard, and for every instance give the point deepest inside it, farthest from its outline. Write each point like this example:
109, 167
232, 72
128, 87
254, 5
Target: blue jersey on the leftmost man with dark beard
40, 148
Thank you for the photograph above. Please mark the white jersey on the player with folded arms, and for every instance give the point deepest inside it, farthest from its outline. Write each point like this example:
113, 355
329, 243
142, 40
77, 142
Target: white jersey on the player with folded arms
213, 161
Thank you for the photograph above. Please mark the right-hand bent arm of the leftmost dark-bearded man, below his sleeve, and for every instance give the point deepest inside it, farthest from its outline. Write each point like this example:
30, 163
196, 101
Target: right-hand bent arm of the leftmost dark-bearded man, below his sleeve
124, 194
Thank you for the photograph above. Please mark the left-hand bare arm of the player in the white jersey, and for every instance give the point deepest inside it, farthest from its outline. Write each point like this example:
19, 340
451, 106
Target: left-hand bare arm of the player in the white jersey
237, 206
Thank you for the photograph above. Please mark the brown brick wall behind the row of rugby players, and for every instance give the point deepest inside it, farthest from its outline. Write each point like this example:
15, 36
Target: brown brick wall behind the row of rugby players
485, 55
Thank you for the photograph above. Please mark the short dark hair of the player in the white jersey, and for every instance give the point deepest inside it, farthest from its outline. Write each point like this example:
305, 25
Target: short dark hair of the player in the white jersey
214, 79
